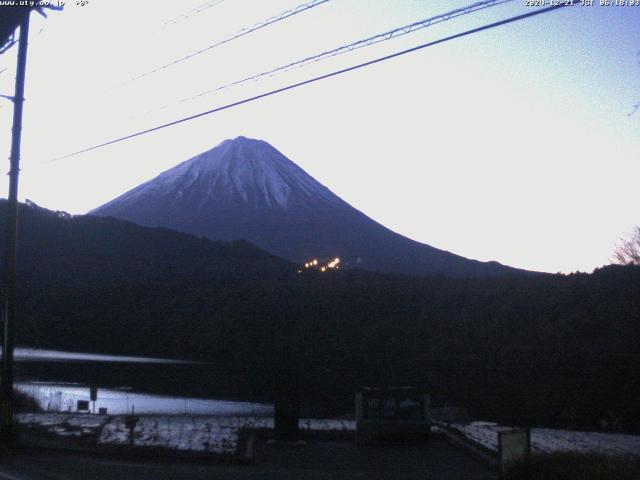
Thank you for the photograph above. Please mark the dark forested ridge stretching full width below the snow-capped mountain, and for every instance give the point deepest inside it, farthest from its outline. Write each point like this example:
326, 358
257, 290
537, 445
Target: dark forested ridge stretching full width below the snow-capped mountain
556, 350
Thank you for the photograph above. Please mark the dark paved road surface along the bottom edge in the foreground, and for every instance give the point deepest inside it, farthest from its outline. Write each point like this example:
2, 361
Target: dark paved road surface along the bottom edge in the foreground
316, 460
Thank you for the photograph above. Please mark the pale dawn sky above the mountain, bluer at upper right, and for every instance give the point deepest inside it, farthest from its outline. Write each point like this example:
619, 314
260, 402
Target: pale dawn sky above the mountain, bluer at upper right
514, 144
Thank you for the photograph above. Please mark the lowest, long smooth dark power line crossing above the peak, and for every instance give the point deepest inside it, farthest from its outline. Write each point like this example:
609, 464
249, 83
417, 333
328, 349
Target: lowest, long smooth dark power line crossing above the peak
318, 78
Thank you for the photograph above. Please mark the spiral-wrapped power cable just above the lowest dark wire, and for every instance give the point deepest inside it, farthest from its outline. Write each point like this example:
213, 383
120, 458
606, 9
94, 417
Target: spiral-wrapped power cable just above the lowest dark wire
381, 37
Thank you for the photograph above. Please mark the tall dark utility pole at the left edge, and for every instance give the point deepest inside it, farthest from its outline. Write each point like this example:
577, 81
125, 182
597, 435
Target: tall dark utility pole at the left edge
11, 228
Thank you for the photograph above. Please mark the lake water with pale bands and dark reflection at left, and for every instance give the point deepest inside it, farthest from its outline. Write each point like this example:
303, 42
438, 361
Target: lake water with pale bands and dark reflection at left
58, 380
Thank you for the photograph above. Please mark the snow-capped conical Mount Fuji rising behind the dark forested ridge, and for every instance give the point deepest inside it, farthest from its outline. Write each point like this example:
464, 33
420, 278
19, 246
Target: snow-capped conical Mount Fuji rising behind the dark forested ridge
245, 189
